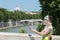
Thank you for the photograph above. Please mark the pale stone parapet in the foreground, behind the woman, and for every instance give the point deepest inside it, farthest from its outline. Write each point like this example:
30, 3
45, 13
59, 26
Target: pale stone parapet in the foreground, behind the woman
21, 36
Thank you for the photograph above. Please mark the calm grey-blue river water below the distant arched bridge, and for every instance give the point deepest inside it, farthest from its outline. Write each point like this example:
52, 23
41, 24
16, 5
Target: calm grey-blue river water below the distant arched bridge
18, 29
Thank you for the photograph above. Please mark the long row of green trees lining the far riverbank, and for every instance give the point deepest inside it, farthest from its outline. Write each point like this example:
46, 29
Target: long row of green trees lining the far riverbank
5, 15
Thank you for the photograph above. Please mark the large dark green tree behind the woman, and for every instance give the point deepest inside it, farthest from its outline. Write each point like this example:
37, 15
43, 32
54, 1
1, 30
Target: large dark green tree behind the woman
52, 8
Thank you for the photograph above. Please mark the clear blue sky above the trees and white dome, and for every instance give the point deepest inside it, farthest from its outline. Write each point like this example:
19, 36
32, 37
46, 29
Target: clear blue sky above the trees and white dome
25, 5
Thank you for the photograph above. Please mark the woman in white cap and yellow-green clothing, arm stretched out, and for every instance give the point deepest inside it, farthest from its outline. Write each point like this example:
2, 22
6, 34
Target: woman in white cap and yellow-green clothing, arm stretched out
47, 31
